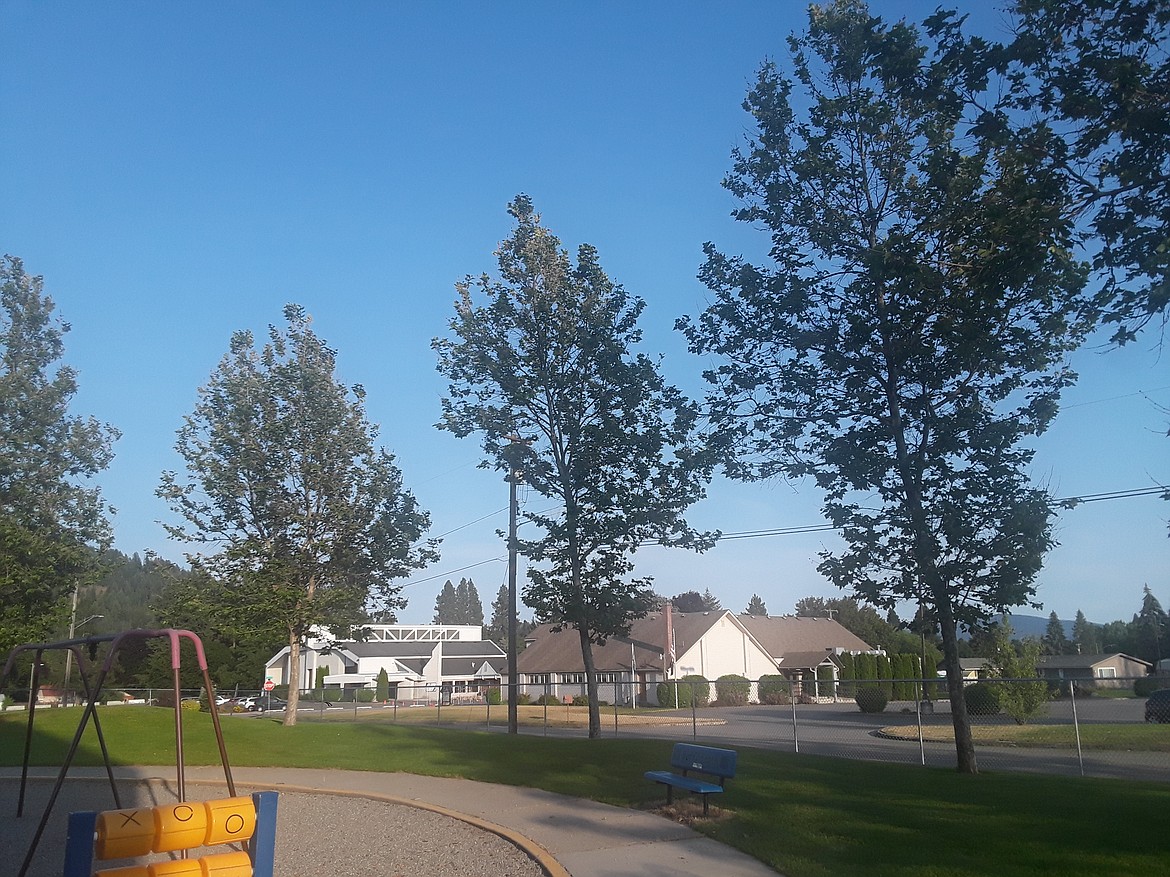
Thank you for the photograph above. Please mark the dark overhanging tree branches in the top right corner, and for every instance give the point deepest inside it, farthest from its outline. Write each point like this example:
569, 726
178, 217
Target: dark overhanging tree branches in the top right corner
1098, 73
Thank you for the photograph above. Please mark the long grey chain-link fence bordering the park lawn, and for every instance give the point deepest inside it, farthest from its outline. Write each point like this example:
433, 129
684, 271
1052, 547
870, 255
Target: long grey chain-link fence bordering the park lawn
1084, 728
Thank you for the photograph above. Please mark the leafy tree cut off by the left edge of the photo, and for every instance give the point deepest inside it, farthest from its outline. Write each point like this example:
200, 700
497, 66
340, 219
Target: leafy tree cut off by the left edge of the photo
52, 523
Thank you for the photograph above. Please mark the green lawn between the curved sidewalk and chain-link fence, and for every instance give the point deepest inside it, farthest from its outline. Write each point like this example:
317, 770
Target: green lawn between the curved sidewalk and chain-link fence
804, 816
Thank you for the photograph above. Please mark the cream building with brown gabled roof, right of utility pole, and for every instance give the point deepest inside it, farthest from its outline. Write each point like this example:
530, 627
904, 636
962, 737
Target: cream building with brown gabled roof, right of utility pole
710, 645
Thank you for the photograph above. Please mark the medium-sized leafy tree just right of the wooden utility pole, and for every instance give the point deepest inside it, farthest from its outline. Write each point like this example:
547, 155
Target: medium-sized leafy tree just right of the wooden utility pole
548, 358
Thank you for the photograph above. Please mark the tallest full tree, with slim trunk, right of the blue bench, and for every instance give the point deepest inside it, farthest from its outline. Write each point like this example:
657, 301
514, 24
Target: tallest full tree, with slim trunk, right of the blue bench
911, 332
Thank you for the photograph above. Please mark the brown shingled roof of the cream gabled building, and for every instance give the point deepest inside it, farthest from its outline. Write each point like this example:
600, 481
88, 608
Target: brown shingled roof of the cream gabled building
781, 637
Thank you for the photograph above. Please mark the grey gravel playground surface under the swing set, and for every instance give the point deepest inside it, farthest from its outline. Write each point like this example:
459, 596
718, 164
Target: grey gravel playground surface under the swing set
316, 835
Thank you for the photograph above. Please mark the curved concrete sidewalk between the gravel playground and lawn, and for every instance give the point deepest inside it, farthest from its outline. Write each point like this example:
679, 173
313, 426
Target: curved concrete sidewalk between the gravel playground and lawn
566, 835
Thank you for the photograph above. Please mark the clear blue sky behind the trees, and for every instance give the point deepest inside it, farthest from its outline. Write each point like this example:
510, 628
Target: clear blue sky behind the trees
178, 172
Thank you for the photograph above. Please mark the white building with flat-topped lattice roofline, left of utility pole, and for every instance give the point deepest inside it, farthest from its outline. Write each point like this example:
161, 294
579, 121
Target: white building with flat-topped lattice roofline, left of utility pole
422, 661
